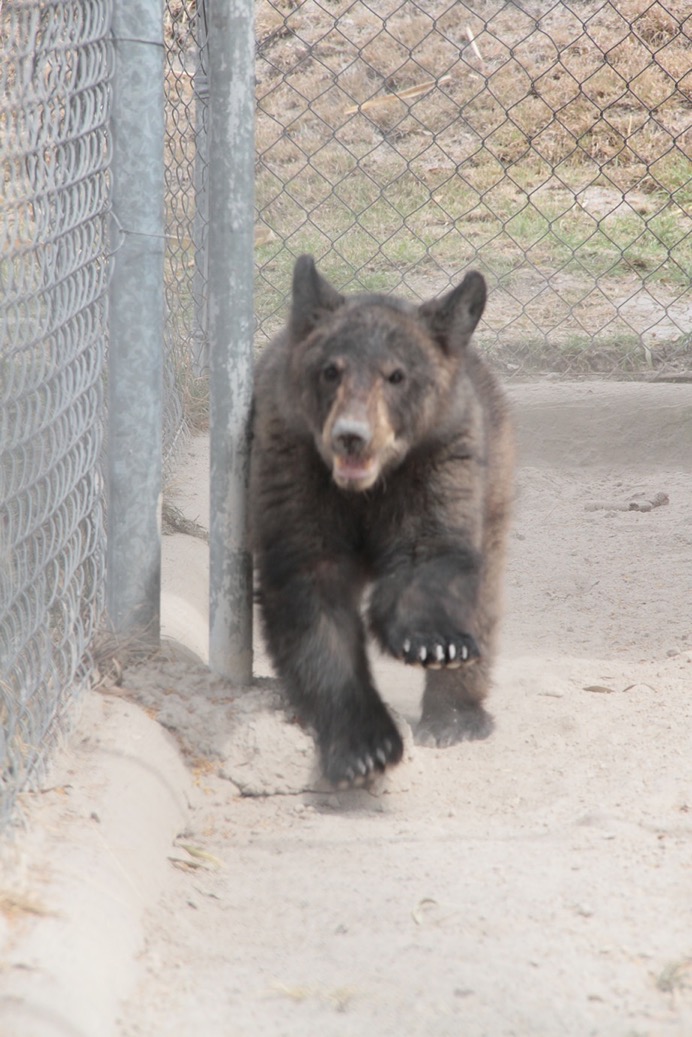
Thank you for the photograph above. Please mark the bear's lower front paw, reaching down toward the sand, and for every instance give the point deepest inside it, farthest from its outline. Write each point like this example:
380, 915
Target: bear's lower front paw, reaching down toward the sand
361, 751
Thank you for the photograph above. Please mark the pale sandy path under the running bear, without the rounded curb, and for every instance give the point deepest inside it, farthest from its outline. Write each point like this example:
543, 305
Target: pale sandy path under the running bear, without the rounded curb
538, 883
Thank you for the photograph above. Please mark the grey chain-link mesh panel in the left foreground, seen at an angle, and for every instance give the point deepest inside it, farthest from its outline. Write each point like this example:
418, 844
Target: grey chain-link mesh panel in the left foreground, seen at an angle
54, 103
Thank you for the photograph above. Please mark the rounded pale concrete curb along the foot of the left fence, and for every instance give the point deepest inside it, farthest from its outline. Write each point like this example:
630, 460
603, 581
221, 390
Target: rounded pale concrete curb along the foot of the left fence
95, 859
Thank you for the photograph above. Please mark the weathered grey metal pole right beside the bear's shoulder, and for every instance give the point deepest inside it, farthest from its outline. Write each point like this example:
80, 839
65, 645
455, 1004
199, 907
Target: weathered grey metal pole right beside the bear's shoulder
232, 325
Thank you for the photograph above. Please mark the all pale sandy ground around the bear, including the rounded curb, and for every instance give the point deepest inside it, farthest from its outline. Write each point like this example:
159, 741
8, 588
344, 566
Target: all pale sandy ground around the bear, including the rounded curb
539, 883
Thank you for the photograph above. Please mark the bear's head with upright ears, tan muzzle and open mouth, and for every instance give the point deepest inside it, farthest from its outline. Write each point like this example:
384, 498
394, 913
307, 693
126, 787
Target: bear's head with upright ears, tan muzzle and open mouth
374, 377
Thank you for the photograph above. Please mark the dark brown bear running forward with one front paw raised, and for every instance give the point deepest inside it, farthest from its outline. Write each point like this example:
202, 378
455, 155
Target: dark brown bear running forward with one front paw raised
382, 456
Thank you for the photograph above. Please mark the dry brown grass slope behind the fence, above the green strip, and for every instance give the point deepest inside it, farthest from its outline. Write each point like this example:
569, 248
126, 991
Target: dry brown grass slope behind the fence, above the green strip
562, 88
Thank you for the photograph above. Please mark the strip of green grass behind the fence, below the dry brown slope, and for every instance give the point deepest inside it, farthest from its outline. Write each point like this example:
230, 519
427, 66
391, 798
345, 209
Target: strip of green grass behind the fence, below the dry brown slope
404, 225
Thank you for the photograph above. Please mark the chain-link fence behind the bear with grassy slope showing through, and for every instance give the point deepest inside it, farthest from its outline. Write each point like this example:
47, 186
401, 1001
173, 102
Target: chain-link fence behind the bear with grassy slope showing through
403, 143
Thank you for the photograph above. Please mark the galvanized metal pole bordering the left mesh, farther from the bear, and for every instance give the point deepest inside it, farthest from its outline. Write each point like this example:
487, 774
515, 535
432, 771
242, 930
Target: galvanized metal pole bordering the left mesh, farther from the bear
135, 382
